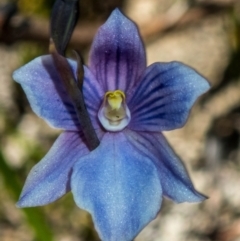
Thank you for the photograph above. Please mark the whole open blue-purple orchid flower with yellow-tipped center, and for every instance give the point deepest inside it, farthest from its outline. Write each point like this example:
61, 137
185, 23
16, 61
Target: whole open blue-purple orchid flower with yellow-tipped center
121, 183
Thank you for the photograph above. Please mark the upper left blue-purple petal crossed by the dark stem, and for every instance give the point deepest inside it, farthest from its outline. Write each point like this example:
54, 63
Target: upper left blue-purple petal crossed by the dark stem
47, 95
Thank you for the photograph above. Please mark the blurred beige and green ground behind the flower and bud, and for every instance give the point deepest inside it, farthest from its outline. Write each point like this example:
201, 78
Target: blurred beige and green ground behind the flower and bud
204, 34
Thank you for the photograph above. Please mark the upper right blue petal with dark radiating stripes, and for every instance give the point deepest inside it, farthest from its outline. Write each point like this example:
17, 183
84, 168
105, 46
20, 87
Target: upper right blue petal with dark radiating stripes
164, 97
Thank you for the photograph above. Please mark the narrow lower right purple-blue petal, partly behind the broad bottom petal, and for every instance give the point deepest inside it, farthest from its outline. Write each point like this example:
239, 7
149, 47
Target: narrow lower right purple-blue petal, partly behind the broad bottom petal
175, 180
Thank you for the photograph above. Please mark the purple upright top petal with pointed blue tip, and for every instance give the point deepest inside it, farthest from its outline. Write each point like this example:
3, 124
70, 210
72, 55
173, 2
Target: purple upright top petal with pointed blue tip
117, 57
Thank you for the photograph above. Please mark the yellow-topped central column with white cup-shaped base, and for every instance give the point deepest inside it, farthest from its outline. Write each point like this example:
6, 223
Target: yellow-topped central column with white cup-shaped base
114, 114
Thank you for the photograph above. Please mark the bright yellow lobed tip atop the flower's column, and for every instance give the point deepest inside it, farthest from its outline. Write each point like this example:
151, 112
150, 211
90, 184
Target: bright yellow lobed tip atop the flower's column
115, 98
